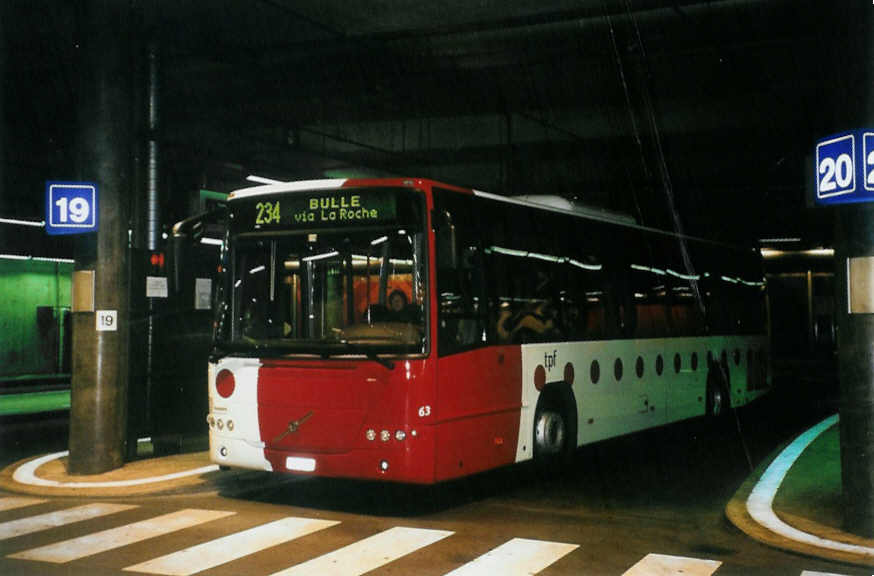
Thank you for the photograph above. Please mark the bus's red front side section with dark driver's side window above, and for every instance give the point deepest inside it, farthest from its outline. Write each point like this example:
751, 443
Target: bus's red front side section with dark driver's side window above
478, 385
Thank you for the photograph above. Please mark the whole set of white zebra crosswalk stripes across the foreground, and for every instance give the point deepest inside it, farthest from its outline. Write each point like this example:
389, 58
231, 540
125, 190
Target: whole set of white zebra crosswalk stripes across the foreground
516, 557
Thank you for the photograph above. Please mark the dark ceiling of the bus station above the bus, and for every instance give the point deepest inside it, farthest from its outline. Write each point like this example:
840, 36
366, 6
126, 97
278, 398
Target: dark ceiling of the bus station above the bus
697, 112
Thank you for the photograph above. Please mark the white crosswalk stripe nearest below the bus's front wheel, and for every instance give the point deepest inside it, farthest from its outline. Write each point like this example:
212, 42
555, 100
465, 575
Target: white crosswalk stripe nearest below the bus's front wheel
518, 557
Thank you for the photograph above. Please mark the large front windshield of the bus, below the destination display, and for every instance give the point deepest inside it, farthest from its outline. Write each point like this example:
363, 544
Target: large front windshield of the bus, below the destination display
329, 292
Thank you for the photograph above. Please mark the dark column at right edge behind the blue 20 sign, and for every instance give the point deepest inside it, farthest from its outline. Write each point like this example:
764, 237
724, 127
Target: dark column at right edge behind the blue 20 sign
854, 237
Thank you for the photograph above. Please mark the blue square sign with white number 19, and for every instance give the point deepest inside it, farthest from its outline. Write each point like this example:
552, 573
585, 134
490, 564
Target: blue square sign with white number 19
71, 207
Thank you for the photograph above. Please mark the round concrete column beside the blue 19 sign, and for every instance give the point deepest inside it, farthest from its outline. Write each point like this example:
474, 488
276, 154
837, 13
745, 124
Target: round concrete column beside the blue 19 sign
99, 382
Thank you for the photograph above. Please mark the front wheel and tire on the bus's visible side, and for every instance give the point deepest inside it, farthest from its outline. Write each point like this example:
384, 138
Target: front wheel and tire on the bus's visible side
554, 428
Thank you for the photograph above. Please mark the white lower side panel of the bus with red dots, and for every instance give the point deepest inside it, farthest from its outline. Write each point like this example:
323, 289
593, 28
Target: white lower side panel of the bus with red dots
618, 388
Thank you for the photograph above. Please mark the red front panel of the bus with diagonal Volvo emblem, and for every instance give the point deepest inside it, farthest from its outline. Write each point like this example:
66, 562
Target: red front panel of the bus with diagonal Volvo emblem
322, 409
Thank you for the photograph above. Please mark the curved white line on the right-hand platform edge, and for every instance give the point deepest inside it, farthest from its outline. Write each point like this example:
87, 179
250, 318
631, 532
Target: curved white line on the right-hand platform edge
761, 499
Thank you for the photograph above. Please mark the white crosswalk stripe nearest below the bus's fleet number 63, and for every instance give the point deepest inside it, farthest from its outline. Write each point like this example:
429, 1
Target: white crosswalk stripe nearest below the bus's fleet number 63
368, 554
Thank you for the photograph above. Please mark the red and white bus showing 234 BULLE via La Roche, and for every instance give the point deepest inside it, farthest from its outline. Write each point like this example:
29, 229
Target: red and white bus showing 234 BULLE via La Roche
412, 331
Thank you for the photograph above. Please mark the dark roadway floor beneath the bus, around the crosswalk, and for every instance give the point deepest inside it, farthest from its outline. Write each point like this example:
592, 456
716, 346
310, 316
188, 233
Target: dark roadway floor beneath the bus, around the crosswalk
661, 492
